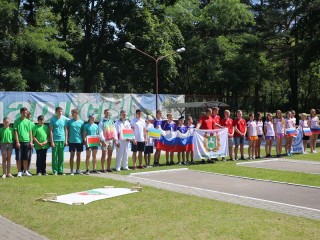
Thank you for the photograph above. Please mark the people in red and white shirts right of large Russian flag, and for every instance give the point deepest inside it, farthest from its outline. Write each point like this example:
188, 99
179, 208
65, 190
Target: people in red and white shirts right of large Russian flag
276, 128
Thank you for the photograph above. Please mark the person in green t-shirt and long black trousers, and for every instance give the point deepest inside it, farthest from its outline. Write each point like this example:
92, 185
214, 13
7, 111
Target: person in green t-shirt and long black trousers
41, 135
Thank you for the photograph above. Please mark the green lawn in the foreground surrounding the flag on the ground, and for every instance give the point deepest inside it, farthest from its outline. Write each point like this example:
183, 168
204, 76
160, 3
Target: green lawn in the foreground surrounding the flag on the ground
151, 214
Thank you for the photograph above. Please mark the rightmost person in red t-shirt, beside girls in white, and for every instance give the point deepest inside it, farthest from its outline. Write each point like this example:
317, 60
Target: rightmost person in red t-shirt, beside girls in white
240, 130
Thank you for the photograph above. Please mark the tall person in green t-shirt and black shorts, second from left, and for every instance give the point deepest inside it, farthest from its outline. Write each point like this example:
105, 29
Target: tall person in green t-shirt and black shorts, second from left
24, 141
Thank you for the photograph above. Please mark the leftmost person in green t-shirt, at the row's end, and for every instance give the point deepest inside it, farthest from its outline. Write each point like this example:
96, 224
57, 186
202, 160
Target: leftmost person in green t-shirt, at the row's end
6, 142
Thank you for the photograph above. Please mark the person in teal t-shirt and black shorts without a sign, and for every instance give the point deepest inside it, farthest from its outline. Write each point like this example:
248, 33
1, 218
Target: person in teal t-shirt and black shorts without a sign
75, 128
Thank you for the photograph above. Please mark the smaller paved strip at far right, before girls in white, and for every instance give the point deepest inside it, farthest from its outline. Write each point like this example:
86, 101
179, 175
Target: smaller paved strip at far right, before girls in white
286, 165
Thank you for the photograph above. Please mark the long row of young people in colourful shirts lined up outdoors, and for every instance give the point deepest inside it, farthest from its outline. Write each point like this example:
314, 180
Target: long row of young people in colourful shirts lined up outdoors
61, 132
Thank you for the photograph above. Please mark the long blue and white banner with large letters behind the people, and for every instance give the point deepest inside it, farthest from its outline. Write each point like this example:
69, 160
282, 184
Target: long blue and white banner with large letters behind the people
44, 103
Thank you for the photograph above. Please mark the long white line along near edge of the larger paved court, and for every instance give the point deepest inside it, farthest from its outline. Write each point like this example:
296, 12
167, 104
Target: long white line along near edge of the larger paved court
230, 194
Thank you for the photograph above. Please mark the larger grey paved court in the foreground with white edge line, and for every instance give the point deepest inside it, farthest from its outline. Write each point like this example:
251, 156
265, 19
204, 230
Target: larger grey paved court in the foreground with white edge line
281, 197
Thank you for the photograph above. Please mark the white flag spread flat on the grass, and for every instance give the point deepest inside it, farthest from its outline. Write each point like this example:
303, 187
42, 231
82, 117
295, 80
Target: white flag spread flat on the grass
86, 197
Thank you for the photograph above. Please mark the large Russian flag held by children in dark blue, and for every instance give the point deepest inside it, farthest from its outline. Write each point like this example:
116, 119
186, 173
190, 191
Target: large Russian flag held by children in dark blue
171, 142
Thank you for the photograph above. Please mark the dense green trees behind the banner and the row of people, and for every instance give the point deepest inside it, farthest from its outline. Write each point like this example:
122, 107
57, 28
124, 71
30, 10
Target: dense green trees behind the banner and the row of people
256, 55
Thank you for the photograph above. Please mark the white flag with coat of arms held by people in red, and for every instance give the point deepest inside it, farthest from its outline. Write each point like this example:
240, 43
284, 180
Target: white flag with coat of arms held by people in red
210, 143
